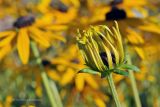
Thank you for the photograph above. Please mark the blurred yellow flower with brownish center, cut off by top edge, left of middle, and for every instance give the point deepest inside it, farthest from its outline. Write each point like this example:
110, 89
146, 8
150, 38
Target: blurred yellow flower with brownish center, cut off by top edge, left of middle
63, 11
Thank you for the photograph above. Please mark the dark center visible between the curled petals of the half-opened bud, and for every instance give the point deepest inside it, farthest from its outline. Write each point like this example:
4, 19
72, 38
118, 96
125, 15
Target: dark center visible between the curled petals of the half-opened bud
104, 58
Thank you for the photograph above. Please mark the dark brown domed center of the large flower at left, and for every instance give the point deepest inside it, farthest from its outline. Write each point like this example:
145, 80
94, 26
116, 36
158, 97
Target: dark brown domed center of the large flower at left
24, 21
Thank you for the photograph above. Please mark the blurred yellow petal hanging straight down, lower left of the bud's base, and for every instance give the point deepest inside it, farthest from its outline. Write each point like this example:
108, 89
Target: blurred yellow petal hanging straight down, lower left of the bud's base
79, 81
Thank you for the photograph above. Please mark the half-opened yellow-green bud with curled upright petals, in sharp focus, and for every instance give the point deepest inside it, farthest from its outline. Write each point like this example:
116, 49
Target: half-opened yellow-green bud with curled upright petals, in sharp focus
102, 49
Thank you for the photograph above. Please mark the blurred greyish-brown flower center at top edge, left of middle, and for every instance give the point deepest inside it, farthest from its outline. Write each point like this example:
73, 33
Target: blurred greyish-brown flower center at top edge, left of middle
59, 6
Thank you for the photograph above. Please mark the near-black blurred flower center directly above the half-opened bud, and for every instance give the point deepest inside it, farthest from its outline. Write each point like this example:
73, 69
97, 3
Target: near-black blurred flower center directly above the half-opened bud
116, 14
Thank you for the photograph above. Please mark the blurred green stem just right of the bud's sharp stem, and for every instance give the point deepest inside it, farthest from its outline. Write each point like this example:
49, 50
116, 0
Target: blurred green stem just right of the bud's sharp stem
133, 84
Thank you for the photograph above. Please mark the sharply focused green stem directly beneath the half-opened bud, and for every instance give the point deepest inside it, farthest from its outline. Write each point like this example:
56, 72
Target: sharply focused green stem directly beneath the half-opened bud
113, 90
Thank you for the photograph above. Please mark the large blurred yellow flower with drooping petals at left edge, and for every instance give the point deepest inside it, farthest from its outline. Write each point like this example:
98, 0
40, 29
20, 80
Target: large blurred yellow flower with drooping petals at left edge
25, 29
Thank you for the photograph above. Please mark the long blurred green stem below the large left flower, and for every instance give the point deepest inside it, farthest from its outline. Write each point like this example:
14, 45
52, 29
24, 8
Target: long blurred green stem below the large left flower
51, 93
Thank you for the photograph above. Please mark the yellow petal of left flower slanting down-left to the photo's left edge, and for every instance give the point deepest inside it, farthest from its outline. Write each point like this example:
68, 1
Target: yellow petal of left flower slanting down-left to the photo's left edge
8, 39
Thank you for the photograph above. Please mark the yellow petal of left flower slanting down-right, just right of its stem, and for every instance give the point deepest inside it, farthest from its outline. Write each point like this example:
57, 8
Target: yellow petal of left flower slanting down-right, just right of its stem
39, 36
